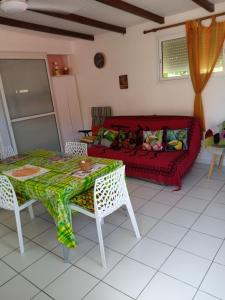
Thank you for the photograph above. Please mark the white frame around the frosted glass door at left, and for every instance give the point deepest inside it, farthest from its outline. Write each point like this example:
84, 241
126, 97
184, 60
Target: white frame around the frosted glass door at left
28, 56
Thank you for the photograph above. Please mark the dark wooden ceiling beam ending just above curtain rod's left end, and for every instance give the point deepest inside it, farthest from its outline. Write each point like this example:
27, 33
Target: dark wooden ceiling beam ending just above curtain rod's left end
125, 6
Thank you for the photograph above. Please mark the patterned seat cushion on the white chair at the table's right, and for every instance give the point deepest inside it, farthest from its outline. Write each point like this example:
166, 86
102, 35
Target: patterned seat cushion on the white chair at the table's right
85, 200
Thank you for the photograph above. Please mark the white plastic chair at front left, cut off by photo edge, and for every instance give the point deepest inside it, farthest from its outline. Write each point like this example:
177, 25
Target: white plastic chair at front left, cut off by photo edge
8, 200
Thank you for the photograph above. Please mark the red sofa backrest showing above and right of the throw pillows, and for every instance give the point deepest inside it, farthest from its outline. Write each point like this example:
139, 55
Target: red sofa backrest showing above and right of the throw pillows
156, 122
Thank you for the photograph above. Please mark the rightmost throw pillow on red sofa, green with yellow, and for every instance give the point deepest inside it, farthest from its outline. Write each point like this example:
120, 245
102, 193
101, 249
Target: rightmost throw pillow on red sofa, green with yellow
177, 139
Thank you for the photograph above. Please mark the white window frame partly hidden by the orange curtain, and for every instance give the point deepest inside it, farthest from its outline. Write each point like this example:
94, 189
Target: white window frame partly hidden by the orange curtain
160, 53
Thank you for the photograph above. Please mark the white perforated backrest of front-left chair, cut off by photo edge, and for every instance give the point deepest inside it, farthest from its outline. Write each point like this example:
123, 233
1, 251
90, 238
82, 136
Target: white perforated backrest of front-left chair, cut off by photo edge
8, 198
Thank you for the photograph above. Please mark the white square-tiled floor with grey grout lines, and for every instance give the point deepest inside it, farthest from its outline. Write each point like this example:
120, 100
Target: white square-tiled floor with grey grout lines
181, 255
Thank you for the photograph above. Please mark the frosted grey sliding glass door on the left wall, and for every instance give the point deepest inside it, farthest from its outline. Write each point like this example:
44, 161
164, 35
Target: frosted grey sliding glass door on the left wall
28, 104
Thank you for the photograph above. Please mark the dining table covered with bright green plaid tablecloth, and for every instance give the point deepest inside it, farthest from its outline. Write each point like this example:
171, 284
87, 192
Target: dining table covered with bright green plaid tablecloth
54, 178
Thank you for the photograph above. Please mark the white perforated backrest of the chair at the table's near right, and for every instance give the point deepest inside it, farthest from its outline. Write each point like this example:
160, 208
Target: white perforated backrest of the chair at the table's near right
110, 192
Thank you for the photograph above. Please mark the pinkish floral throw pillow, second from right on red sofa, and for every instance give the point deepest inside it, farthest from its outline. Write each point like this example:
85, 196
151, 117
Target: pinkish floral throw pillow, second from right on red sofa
153, 140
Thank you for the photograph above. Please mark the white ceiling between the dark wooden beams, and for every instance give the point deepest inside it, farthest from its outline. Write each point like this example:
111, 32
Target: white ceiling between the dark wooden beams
101, 12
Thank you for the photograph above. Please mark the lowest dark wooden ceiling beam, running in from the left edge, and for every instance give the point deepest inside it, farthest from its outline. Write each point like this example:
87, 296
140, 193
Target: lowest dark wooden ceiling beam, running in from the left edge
46, 29
